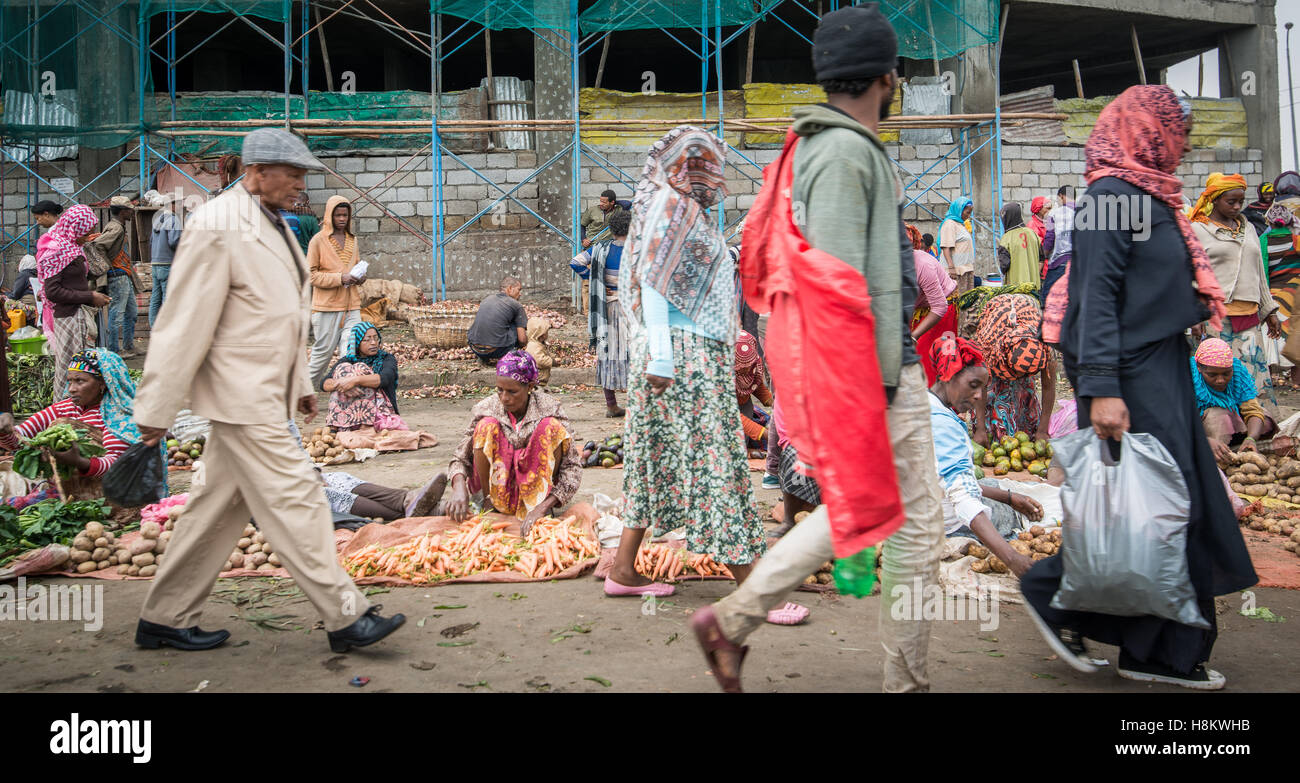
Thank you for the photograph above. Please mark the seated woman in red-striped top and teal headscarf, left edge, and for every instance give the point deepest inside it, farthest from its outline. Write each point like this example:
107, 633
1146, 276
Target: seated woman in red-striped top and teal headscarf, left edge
101, 395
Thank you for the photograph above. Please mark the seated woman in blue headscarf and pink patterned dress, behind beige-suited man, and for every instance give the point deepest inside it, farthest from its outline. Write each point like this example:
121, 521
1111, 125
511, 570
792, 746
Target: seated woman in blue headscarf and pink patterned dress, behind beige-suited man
363, 384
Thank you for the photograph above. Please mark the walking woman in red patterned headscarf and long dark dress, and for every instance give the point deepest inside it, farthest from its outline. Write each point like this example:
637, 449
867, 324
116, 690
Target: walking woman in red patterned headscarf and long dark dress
1130, 299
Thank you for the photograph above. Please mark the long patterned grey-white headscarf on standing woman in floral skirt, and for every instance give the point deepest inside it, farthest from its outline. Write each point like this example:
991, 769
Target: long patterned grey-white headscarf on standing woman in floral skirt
673, 245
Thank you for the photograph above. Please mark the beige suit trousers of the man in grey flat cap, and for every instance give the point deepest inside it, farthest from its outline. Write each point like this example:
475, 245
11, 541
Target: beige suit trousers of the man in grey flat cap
254, 471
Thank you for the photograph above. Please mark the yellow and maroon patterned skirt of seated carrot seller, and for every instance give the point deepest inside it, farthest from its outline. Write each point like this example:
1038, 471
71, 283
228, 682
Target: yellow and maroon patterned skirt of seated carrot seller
521, 478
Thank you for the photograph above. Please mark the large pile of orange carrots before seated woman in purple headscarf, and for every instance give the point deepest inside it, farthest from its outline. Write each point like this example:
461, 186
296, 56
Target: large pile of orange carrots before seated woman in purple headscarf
478, 547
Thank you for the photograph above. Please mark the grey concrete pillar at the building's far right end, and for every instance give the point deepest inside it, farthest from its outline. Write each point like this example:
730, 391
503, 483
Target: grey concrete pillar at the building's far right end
1254, 77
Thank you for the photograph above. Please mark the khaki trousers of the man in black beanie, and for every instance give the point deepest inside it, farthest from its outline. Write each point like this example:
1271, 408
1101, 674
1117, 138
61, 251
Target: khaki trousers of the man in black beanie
911, 556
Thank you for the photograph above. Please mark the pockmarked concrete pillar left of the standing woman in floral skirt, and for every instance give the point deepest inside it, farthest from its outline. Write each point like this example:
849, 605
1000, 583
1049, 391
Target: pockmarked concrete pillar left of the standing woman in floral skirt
553, 89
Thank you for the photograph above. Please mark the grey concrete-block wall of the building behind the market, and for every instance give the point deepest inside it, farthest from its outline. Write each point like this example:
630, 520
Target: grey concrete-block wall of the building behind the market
510, 241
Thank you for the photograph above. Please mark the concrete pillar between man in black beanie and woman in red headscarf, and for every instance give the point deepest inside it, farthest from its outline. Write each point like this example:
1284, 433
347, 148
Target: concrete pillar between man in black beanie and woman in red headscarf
977, 94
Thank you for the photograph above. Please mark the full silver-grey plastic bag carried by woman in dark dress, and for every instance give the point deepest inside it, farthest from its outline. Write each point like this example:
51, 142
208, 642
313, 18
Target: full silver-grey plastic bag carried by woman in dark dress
1125, 530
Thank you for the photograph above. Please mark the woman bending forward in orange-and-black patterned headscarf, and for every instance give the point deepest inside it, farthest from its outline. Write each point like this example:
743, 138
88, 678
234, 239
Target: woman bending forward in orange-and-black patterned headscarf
1009, 335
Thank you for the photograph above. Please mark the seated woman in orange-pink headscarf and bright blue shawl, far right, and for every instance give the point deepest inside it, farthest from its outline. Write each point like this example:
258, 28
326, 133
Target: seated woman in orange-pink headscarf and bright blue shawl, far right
1228, 400
